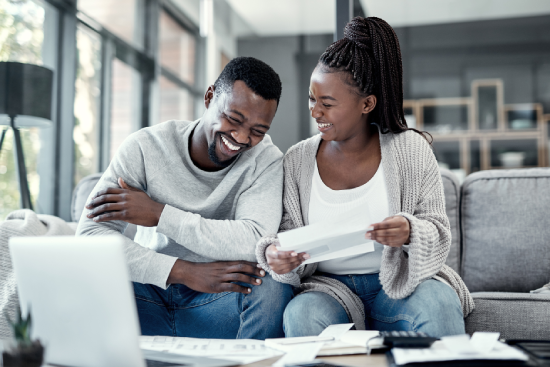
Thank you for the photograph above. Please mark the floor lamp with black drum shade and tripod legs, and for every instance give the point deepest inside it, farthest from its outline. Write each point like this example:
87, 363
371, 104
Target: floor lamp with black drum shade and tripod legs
25, 93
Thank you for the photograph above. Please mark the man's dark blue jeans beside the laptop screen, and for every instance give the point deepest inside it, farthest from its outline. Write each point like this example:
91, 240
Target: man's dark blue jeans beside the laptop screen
181, 311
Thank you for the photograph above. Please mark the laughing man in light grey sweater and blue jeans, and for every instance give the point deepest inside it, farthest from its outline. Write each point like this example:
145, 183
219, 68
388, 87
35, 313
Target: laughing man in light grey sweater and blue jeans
202, 194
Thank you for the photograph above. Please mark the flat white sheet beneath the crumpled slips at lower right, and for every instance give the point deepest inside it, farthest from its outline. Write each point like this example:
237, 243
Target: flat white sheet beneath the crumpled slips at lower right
438, 352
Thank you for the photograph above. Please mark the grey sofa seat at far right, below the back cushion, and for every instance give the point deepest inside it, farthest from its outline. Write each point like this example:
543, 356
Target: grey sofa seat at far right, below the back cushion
513, 315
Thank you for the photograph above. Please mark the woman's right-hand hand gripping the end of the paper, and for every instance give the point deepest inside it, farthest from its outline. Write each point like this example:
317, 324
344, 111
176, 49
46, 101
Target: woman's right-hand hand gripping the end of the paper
392, 231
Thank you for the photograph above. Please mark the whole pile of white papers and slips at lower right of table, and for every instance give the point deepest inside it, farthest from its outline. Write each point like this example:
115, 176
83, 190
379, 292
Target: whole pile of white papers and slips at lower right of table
460, 347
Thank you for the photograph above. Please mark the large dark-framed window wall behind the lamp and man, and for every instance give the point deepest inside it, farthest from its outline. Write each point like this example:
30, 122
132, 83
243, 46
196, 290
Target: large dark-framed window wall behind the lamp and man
113, 69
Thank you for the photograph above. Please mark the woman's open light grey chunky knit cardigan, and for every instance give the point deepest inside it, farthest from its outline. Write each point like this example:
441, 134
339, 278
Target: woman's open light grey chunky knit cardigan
415, 191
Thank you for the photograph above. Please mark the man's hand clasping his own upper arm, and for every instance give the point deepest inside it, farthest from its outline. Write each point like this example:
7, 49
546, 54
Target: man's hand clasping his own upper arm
128, 204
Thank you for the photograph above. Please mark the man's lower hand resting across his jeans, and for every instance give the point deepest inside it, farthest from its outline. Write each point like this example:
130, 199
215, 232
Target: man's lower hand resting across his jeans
216, 277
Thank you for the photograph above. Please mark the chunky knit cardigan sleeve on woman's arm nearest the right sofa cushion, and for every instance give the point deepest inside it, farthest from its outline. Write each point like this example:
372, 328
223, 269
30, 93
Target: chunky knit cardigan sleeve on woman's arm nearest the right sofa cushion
423, 205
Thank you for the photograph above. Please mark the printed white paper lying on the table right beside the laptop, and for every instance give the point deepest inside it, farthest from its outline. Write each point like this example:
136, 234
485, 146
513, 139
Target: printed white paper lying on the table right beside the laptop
243, 351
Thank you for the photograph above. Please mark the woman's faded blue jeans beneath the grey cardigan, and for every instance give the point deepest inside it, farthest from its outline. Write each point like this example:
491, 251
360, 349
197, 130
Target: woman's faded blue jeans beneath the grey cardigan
433, 308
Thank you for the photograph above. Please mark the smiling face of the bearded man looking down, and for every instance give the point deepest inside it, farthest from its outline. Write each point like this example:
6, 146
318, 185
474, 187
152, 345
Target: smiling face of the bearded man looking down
235, 121
